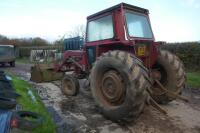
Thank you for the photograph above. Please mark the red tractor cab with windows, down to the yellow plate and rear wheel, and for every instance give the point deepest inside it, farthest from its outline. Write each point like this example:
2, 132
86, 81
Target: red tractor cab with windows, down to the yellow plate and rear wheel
120, 27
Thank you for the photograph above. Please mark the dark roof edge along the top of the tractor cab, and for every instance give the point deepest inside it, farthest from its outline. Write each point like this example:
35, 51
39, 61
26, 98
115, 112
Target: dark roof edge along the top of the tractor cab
121, 5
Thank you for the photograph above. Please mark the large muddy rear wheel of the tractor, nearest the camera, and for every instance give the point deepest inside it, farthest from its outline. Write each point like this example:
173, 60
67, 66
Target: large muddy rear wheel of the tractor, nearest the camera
118, 84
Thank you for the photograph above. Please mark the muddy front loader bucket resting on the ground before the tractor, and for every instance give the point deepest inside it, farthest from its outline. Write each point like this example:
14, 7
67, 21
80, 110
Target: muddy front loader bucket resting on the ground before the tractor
44, 74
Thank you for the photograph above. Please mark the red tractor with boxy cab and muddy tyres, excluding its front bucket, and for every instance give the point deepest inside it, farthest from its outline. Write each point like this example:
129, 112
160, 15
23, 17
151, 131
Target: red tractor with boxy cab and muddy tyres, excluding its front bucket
123, 63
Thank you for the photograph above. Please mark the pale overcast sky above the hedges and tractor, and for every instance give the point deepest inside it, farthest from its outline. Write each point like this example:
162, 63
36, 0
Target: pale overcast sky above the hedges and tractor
172, 20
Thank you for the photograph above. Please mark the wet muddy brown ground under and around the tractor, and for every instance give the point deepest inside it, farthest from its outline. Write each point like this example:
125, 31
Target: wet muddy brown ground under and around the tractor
80, 114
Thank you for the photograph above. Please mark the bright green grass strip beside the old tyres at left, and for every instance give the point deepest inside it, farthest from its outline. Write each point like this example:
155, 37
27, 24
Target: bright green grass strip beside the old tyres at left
27, 104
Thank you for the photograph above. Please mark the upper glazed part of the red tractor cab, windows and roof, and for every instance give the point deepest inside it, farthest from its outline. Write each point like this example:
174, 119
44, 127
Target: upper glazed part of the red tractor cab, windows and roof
119, 23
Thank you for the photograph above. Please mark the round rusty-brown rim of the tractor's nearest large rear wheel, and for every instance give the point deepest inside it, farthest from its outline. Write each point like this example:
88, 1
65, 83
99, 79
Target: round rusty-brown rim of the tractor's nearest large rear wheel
112, 88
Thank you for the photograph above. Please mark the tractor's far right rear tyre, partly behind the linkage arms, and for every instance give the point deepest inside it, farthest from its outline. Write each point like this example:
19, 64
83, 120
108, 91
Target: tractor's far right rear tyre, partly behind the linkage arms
170, 72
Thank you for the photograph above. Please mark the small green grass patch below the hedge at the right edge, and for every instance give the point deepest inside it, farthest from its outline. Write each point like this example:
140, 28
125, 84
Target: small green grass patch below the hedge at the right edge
193, 79
